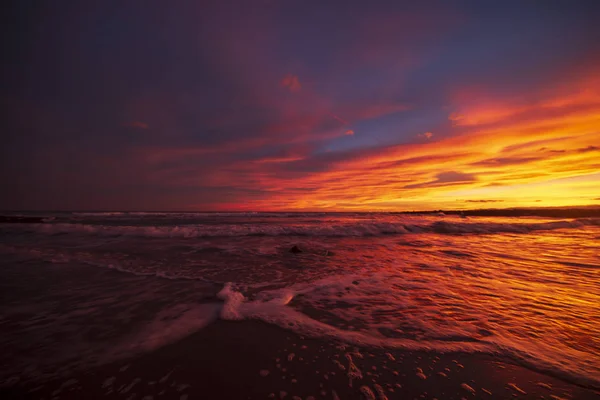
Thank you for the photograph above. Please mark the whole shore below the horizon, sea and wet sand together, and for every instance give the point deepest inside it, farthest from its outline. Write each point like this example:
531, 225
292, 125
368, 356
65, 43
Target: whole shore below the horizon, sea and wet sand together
332, 306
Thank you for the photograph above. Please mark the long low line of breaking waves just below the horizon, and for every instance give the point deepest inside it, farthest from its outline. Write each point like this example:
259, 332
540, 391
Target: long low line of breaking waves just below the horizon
338, 229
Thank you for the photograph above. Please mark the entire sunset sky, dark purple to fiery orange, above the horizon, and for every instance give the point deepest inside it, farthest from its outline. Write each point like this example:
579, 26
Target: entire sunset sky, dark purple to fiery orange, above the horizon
299, 105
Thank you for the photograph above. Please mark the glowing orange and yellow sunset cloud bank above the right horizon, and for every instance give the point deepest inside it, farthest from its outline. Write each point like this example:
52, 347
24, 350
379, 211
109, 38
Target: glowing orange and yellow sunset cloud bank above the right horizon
513, 153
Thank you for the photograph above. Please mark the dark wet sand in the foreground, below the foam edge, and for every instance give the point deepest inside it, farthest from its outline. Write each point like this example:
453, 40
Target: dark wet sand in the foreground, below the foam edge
254, 360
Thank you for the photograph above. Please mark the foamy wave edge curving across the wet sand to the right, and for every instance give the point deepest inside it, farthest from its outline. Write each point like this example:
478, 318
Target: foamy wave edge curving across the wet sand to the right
277, 311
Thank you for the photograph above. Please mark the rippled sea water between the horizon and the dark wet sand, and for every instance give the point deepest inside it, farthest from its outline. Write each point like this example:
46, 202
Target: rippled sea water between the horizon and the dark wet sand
86, 288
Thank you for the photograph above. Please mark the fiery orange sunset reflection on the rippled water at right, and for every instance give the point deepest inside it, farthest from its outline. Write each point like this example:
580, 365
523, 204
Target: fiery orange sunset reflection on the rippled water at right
534, 297
